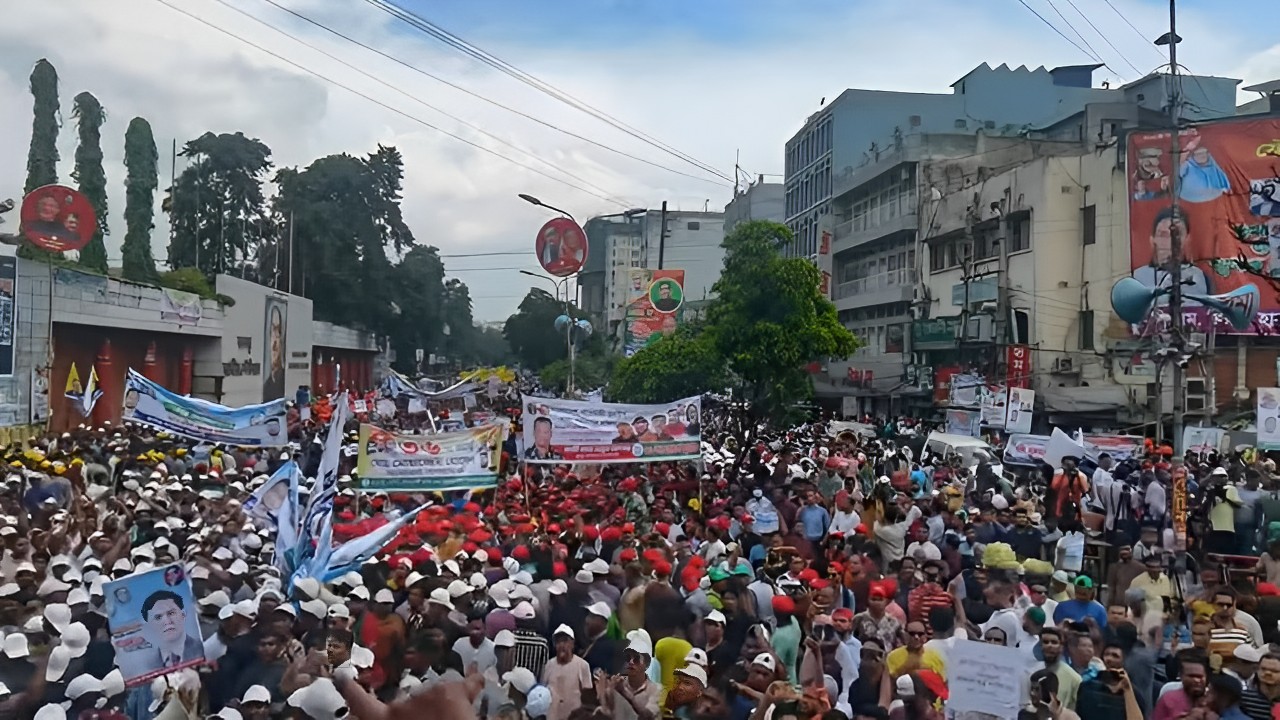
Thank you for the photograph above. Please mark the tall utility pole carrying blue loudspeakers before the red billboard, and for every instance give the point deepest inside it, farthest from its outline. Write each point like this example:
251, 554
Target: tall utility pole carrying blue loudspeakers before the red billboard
1176, 233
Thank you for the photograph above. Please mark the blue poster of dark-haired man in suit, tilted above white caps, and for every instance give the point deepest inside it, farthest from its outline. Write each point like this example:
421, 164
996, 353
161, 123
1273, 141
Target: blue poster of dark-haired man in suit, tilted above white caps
156, 623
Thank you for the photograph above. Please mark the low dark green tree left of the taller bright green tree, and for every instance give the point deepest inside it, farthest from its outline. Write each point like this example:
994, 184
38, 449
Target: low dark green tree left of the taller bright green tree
679, 366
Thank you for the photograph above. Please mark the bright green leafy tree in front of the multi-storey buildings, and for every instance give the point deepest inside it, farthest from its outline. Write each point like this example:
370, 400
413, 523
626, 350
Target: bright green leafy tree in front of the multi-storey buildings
769, 320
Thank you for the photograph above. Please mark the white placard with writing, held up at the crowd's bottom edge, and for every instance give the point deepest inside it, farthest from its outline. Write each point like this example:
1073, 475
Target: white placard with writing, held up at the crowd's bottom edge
985, 680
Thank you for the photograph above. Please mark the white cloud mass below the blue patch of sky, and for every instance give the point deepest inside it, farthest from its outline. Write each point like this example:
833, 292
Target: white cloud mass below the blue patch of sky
706, 98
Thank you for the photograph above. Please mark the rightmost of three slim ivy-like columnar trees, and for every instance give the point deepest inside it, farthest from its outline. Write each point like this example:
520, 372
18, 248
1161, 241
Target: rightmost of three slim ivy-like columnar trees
140, 197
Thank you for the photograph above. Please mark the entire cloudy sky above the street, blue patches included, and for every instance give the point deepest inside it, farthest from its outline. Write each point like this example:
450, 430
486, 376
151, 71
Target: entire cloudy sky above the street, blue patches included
707, 79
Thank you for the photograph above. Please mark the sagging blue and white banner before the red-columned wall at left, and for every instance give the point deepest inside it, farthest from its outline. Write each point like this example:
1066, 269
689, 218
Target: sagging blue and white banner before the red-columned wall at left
253, 426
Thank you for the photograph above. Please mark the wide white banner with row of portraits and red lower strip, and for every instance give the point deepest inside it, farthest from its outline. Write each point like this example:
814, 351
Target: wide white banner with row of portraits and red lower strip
574, 431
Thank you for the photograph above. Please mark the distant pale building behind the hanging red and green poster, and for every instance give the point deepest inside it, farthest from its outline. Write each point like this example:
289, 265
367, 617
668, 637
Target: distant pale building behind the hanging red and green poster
623, 243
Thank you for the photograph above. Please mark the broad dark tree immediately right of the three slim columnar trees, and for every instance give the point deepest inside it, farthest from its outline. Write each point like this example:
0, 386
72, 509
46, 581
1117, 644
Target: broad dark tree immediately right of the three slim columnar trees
218, 209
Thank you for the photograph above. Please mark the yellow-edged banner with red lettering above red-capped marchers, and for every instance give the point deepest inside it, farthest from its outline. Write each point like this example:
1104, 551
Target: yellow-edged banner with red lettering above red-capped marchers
467, 459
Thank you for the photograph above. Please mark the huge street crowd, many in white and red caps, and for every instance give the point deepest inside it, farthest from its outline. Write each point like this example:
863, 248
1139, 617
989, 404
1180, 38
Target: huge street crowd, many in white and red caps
806, 575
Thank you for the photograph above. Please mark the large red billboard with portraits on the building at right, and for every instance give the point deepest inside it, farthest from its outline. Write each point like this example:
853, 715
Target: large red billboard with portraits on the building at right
1229, 215
